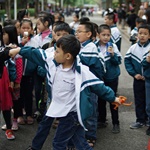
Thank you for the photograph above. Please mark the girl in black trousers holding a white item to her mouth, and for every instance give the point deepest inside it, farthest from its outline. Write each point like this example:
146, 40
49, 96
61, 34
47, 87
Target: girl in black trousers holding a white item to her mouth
26, 39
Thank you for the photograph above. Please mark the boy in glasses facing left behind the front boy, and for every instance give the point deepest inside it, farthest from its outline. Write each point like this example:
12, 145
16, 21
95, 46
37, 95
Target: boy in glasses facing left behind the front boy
89, 56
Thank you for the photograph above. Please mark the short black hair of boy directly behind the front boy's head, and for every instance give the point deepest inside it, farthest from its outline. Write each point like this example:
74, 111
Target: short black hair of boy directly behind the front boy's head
63, 27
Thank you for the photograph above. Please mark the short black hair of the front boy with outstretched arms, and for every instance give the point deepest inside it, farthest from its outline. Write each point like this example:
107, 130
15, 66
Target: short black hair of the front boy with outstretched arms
69, 44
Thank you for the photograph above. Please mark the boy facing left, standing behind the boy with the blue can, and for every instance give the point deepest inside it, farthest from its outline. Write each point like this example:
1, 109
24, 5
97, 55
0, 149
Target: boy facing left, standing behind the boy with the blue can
115, 33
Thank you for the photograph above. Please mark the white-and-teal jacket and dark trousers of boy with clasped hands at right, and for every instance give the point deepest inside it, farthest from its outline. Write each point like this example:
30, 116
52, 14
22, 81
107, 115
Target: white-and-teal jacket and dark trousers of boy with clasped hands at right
133, 64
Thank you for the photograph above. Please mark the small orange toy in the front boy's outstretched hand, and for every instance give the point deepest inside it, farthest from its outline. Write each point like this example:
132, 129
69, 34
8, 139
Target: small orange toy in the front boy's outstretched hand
122, 100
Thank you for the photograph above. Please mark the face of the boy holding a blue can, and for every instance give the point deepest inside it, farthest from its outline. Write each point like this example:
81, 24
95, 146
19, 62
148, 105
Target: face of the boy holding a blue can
104, 36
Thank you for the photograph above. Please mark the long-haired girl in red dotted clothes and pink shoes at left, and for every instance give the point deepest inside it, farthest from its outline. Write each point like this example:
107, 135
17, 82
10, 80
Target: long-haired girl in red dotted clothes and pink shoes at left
8, 31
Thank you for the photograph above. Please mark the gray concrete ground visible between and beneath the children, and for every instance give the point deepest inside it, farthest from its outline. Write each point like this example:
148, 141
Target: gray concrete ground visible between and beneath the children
127, 139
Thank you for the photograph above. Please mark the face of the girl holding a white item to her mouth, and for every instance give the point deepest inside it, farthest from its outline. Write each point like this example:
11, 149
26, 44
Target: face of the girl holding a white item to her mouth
26, 27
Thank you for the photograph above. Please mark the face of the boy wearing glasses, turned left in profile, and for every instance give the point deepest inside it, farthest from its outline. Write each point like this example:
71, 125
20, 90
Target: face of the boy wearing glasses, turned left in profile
81, 34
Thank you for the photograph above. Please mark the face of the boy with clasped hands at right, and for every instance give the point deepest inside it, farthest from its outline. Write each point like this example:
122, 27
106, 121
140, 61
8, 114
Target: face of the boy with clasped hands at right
143, 35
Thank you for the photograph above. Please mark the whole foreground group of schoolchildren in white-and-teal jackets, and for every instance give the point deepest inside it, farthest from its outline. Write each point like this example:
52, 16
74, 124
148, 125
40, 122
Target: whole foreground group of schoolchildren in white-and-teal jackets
81, 72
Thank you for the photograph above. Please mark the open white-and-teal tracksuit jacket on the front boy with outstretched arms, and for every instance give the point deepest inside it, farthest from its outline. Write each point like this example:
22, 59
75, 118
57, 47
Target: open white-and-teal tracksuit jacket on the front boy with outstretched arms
85, 82
